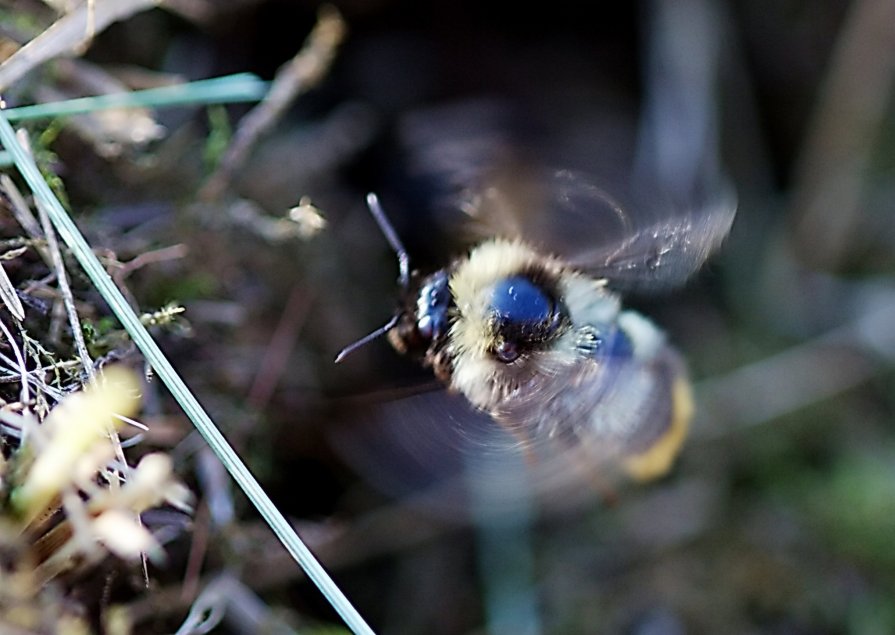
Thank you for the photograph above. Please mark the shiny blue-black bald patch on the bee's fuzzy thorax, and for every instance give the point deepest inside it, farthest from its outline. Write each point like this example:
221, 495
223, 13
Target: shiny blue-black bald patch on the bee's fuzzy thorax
525, 314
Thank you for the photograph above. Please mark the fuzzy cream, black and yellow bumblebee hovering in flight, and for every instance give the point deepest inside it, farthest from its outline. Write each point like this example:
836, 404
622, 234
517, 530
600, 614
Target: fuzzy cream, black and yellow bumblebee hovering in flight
537, 339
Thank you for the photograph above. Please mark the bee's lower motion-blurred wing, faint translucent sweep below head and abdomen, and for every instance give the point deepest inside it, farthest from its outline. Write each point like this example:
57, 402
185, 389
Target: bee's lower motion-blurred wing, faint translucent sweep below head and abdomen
436, 453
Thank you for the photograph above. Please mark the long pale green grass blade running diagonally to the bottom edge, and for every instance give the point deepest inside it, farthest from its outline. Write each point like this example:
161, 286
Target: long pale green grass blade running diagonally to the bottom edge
165, 371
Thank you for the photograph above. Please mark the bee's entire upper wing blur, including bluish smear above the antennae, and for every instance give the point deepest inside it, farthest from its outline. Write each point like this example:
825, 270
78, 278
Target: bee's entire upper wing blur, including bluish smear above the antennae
638, 234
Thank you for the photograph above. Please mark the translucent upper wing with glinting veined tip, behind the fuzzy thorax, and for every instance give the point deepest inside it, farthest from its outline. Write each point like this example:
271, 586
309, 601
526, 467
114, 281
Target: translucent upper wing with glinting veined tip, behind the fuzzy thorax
639, 241
